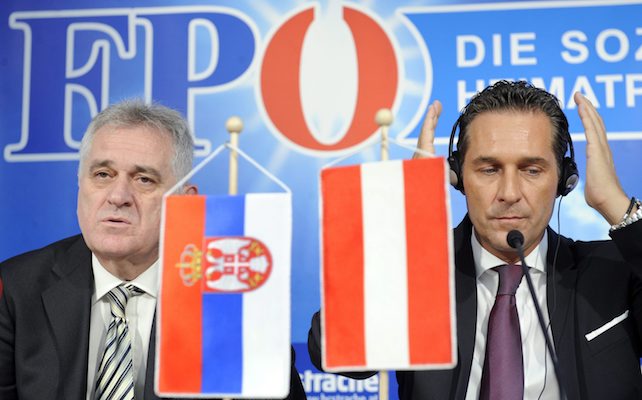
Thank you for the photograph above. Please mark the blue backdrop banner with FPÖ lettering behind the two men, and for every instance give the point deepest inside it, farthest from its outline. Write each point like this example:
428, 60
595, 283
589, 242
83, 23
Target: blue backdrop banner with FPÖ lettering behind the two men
307, 78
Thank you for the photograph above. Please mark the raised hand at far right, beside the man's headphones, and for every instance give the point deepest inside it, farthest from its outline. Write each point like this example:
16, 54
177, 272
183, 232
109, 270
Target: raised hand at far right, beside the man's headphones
602, 190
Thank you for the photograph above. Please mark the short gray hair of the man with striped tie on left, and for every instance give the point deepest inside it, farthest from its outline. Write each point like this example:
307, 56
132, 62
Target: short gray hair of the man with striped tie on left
135, 112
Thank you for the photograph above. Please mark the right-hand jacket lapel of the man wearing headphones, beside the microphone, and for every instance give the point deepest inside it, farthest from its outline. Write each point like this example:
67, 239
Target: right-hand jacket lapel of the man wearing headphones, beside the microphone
560, 295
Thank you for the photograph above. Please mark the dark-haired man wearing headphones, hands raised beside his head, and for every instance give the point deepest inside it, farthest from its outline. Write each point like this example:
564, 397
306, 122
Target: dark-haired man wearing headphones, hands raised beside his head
510, 164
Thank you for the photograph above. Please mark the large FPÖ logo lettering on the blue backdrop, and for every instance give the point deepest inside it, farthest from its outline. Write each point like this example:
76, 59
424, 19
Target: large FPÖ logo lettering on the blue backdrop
318, 76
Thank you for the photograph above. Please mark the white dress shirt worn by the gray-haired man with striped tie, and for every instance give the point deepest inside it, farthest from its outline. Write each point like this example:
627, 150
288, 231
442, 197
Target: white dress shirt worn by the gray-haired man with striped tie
140, 315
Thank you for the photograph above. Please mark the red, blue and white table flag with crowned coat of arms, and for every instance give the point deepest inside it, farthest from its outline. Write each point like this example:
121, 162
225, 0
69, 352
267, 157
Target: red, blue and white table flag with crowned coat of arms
223, 321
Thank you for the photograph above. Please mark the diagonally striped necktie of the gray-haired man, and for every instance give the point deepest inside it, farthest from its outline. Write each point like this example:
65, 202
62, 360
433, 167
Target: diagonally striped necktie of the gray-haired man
115, 378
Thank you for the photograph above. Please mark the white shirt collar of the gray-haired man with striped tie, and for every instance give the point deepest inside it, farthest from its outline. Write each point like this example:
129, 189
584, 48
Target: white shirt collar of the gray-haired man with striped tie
104, 281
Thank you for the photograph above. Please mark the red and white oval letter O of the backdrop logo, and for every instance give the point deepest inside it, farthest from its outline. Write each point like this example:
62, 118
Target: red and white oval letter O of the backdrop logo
325, 74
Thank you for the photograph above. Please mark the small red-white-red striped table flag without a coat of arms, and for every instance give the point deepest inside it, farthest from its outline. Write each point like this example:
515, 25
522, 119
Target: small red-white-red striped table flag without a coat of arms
387, 267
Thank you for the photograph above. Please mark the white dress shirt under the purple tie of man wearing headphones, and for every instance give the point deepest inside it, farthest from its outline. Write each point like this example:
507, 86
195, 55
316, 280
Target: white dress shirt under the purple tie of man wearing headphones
539, 372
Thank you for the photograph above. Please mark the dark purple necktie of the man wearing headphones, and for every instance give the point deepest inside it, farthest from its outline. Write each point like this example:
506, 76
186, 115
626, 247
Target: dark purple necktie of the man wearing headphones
503, 373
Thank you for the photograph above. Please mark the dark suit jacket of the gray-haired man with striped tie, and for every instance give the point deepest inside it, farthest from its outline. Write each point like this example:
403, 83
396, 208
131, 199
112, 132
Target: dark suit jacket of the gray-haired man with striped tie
45, 305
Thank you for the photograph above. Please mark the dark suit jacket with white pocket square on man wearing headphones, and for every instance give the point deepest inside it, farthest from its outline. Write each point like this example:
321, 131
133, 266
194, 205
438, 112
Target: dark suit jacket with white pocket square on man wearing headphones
593, 283
